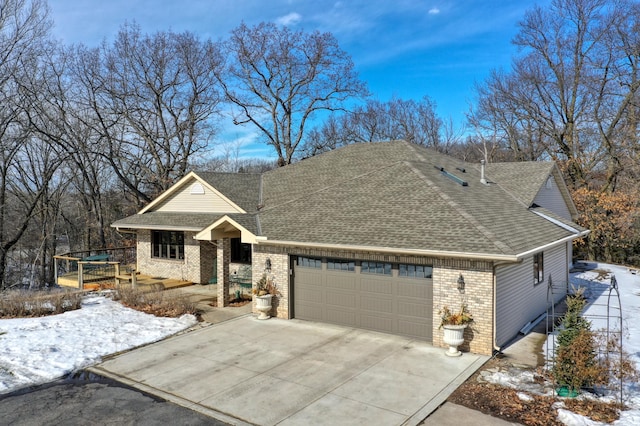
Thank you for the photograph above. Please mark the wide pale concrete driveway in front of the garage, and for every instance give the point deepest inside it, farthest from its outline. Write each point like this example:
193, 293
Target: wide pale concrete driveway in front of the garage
291, 372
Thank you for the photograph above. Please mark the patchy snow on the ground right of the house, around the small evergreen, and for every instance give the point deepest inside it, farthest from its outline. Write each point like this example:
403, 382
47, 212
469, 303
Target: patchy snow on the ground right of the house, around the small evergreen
597, 292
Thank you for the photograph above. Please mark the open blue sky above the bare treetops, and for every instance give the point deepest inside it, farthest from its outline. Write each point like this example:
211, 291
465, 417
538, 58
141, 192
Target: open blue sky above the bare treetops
406, 48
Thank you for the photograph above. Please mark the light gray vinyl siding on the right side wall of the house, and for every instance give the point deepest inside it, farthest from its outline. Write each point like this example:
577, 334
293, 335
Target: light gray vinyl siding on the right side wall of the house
518, 299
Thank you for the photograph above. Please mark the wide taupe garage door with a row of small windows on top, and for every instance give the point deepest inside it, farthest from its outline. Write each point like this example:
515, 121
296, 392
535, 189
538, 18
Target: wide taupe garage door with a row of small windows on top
392, 298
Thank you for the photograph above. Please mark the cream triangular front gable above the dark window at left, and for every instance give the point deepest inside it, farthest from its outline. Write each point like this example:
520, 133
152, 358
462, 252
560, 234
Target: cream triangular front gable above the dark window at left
194, 196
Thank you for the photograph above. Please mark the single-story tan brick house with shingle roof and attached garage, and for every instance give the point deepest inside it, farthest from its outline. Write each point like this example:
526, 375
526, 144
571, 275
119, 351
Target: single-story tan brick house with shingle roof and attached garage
378, 236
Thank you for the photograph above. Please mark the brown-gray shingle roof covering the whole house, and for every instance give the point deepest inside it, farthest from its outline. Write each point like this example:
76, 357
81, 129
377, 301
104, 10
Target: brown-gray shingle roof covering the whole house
392, 195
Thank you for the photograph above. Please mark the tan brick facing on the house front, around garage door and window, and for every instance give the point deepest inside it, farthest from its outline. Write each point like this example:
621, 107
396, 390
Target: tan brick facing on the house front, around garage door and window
198, 267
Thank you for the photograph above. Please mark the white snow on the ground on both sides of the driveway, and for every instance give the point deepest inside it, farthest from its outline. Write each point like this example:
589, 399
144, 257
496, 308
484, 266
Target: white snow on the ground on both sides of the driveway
40, 350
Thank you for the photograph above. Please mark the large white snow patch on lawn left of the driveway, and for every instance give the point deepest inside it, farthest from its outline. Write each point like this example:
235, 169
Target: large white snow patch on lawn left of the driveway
39, 350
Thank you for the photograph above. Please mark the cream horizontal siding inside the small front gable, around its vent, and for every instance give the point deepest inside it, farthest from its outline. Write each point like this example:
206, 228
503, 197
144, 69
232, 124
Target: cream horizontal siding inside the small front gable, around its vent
184, 201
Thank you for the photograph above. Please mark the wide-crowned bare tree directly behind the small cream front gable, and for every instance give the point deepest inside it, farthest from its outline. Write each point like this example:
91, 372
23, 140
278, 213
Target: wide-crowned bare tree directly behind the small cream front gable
153, 103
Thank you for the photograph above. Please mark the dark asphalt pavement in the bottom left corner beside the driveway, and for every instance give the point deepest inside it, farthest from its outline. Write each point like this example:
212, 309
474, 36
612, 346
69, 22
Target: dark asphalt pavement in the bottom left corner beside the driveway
92, 400
